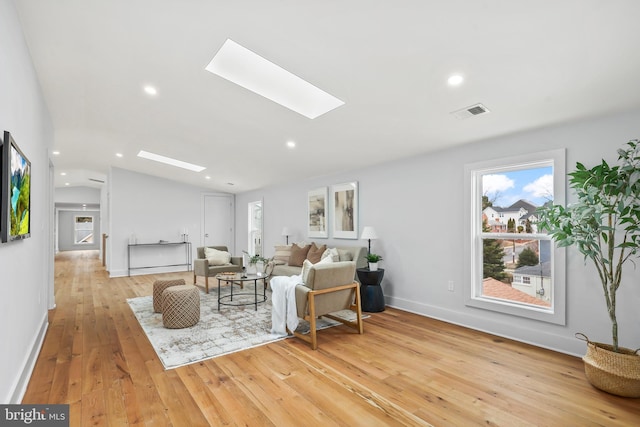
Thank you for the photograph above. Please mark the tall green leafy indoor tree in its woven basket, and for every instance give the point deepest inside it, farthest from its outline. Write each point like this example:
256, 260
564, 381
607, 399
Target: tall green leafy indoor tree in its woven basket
604, 225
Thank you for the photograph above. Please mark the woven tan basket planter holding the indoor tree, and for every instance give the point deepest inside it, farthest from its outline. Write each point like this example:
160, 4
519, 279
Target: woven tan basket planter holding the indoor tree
615, 373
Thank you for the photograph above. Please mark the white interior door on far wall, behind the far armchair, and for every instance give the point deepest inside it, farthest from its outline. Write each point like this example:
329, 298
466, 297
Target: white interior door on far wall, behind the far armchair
218, 221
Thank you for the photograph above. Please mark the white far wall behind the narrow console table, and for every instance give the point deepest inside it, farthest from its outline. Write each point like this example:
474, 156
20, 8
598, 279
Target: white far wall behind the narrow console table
153, 209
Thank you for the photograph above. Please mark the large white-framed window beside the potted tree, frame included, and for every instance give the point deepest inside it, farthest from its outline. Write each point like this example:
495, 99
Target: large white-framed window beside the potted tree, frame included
513, 267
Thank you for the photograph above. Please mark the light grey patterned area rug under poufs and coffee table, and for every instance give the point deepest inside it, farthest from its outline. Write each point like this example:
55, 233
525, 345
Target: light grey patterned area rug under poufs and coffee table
233, 328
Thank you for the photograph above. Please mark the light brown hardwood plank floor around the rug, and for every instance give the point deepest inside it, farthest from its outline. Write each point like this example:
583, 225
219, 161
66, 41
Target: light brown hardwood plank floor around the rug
405, 370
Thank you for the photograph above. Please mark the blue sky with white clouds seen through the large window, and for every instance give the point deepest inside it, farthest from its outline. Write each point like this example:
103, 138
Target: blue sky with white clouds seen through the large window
505, 188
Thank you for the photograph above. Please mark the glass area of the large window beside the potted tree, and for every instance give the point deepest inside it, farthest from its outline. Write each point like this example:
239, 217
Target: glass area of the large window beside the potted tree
515, 269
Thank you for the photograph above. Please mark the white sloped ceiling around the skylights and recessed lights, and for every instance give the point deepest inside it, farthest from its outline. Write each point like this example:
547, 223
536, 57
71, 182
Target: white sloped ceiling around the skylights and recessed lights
531, 63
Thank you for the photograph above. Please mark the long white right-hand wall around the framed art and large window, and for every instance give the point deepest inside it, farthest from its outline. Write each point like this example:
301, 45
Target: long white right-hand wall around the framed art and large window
417, 208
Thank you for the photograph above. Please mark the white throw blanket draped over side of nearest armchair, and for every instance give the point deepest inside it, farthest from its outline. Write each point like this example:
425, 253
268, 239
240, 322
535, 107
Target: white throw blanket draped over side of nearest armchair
283, 300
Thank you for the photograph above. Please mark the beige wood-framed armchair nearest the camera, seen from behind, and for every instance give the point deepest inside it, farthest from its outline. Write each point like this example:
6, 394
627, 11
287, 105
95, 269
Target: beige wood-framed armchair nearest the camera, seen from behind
328, 288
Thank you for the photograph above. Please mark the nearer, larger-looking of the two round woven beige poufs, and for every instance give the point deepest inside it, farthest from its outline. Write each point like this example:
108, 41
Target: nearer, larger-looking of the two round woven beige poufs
180, 306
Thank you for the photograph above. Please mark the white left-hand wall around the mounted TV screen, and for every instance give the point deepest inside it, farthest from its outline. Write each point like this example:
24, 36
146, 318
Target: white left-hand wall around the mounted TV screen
24, 264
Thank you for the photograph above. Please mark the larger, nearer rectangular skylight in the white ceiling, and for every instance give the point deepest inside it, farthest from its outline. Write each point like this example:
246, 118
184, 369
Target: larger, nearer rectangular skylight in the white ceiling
245, 68
